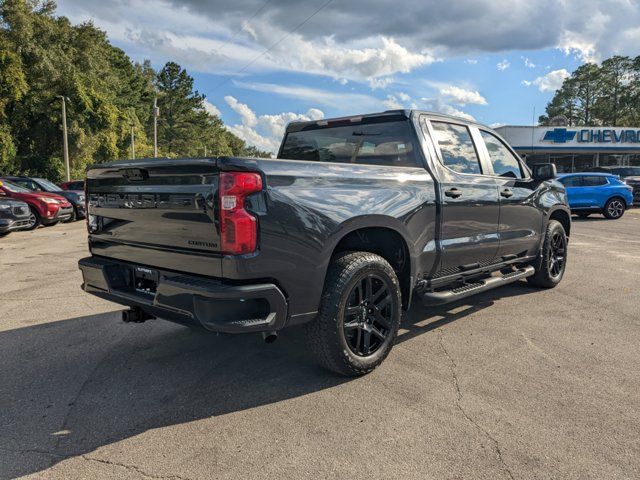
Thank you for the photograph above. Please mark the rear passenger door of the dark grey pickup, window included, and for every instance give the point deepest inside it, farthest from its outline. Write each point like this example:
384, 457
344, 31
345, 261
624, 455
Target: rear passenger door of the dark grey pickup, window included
470, 205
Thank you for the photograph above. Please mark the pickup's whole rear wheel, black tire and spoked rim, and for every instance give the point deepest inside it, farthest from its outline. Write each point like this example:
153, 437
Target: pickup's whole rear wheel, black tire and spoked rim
359, 314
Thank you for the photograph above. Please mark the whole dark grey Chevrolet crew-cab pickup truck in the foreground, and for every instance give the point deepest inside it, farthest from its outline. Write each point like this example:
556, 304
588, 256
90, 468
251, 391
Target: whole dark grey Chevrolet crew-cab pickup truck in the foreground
354, 218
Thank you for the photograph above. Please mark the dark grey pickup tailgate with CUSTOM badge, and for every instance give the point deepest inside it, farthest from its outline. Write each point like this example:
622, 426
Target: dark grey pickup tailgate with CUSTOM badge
159, 213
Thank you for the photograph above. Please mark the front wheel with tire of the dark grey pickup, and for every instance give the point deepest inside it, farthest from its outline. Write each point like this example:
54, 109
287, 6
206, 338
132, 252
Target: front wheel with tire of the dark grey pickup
552, 262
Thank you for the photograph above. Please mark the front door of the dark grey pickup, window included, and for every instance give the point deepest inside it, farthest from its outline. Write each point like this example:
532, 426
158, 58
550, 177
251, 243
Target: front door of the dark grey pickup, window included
520, 216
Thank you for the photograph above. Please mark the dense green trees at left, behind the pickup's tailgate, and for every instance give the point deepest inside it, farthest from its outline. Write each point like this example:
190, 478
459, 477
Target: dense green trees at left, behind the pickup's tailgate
43, 56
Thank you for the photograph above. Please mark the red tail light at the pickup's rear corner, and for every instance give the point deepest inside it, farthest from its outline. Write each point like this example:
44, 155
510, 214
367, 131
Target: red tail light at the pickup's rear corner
238, 228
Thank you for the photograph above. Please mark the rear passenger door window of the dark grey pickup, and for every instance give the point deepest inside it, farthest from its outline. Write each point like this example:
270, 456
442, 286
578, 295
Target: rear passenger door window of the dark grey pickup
456, 146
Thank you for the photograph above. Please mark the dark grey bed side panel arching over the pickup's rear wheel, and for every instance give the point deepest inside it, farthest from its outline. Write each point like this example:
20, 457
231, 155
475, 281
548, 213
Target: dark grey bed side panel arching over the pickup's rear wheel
310, 206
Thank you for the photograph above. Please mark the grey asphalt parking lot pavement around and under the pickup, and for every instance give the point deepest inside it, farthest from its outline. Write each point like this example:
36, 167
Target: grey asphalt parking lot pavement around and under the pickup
515, 383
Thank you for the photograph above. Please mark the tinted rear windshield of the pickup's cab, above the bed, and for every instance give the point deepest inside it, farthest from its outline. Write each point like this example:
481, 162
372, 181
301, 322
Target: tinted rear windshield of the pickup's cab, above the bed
389, 143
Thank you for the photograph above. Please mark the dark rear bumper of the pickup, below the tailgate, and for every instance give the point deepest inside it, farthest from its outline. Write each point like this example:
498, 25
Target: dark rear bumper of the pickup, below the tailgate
189, 299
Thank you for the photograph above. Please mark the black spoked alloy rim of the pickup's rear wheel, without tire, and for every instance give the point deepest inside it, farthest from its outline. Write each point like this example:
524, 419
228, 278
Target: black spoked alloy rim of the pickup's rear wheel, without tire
368, 315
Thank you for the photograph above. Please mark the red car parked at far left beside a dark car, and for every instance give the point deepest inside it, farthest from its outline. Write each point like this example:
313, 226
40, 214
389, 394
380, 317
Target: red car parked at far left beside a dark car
46, 208
